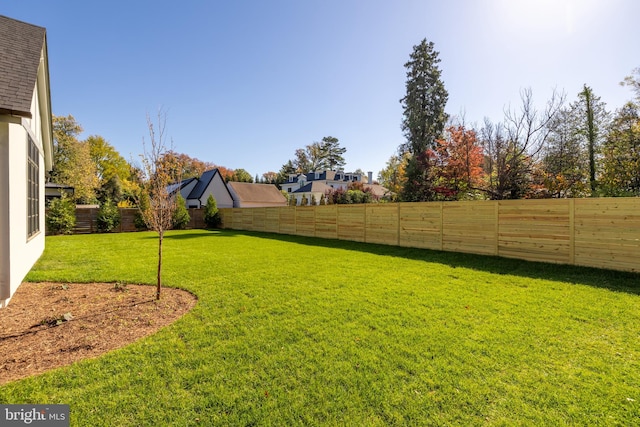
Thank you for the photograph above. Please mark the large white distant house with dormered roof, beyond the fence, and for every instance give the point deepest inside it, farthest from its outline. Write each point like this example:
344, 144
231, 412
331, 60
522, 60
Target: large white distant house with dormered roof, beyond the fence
314, 185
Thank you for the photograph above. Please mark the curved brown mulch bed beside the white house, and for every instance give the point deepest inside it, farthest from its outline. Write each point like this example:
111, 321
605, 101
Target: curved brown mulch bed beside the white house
49, 325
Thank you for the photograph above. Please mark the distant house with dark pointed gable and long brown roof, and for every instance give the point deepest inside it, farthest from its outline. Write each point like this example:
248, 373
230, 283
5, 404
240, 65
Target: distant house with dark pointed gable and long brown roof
196, 191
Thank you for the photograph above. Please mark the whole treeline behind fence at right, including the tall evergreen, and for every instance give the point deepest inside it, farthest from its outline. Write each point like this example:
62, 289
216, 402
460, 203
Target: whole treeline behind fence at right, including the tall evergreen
565, 149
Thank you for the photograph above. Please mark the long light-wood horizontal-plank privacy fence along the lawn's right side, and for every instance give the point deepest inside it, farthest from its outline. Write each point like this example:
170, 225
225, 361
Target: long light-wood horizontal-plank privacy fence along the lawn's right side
597, 232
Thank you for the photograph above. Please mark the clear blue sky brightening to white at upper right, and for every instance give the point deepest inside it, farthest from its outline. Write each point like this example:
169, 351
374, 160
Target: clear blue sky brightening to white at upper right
245, 83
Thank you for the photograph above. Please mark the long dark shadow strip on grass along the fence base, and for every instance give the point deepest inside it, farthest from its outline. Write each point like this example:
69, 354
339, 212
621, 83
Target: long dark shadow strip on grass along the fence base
617, 281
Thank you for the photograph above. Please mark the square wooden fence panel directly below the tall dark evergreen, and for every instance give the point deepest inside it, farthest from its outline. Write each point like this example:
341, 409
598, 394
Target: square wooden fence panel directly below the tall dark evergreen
421, 225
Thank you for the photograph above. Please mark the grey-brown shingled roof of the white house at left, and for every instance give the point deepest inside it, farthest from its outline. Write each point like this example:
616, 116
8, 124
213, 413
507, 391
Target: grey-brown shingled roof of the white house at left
21, 46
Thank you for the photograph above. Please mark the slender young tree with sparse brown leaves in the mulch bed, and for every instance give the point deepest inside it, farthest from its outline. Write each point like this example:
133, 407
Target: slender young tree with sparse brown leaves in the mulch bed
156, 176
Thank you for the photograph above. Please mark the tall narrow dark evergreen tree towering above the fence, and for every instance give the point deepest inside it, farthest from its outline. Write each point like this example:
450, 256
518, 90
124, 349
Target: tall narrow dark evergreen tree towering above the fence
424, 119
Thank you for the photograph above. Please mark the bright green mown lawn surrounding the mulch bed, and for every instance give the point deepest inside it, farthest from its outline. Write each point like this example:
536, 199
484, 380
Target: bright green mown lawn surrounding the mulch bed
302, 331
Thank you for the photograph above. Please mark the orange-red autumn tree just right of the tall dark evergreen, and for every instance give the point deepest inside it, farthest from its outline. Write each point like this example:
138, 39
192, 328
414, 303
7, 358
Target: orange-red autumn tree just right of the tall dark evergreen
459, 161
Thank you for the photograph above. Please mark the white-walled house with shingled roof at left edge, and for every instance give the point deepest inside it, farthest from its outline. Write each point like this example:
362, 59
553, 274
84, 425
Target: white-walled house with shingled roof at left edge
26, 149
